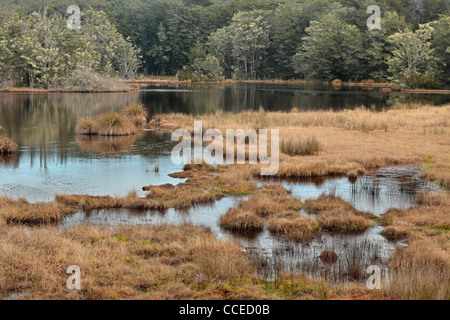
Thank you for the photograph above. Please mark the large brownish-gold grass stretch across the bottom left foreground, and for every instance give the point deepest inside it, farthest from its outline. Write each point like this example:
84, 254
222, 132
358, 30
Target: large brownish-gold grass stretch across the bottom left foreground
164, 262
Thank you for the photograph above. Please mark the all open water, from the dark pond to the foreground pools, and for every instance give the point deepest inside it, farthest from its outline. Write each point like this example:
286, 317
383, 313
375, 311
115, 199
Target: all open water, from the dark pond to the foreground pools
53, 159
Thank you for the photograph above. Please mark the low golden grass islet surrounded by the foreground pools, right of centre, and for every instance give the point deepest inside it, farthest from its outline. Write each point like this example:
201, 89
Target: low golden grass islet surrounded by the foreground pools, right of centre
281, 213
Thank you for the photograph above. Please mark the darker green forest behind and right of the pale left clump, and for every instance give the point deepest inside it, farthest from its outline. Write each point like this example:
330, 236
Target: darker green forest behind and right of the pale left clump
262, 39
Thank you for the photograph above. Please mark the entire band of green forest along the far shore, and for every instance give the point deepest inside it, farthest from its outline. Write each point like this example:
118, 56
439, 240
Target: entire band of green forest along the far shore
212, 40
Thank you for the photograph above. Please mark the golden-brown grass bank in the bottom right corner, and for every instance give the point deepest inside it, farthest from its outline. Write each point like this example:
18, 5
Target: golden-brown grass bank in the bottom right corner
422, 269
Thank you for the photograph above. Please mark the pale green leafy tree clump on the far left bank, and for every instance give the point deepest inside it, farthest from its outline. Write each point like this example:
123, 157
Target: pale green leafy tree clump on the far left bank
42, 52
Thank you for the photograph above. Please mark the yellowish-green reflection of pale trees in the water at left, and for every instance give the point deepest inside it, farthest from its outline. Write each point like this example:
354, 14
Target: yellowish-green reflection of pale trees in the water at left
45, 123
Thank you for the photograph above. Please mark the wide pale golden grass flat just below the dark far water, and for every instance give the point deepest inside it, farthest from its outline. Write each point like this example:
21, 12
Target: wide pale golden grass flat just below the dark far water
352, 141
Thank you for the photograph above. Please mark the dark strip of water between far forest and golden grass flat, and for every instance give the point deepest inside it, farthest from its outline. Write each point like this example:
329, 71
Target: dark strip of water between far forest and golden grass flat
199, 99
